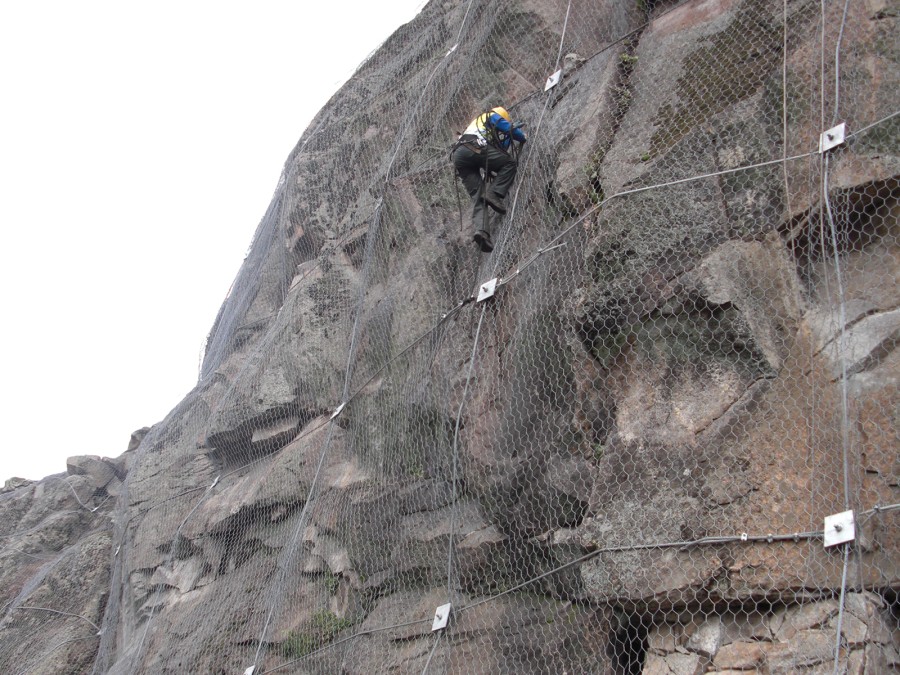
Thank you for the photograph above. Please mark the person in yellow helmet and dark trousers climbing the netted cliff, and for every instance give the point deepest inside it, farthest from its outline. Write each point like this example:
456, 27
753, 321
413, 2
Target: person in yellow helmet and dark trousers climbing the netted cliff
486, 144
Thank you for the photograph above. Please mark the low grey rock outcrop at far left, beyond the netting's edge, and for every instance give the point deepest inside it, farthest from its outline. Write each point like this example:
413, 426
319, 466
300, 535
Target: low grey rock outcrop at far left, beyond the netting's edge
54, 567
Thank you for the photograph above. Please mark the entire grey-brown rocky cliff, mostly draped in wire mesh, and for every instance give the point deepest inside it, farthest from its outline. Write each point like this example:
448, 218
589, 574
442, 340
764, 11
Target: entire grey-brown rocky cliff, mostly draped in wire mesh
620, 462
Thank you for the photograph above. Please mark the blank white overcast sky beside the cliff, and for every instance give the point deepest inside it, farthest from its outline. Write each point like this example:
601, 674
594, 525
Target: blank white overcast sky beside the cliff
140, 143
